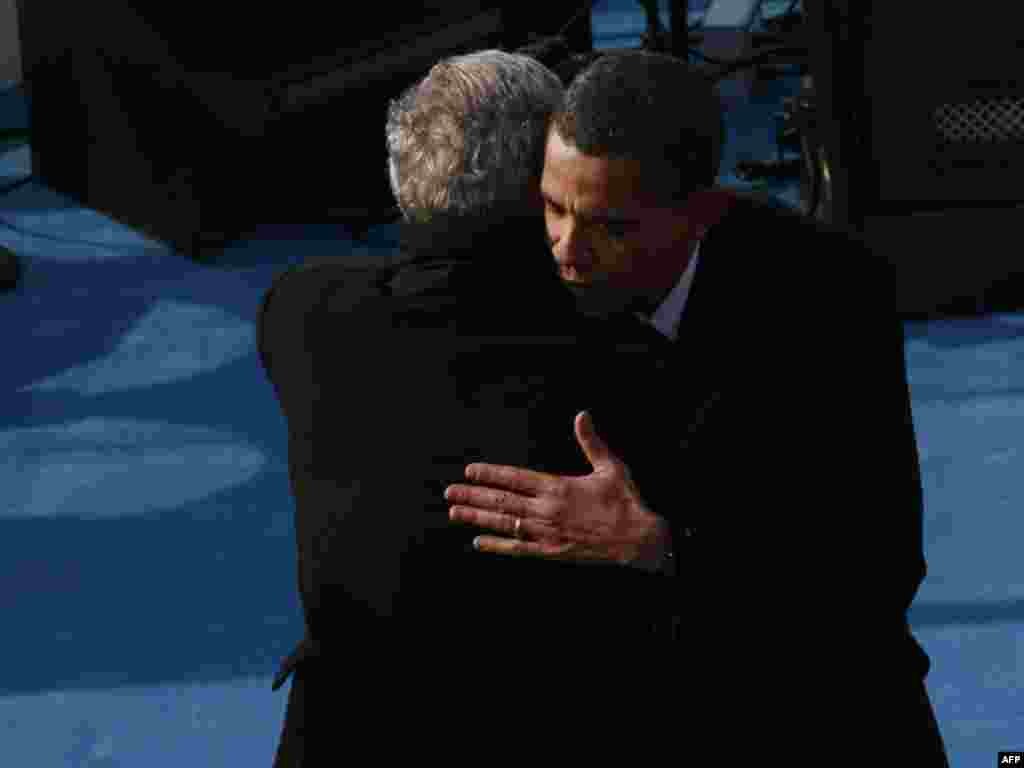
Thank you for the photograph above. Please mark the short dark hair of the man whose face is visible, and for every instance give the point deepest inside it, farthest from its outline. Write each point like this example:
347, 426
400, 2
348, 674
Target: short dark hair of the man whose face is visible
651, 108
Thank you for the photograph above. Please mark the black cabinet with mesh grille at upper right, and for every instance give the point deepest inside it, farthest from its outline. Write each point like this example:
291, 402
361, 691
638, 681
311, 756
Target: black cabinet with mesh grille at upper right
925, 150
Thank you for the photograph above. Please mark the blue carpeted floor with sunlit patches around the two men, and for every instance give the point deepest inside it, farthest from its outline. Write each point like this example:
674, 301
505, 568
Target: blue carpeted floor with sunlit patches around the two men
147, 551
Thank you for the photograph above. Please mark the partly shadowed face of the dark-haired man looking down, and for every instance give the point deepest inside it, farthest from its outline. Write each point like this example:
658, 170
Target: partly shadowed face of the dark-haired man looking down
613, 243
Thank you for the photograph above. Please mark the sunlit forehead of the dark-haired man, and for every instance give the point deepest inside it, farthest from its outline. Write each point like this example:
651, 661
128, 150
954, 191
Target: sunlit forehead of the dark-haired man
590, 182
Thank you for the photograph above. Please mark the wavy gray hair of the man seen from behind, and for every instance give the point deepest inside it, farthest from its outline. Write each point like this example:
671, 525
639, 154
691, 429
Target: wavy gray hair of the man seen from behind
471, 136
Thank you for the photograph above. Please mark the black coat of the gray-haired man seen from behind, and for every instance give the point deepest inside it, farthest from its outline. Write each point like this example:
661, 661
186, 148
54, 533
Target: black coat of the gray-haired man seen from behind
392, 381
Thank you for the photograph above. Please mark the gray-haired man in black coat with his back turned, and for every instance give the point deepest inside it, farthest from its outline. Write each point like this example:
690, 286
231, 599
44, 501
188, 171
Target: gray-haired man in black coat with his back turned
468, 347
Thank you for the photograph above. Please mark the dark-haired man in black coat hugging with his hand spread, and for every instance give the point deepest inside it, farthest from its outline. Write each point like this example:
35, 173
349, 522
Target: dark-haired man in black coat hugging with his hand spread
795, 532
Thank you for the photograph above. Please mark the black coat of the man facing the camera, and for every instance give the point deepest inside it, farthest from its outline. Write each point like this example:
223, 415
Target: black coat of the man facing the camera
802, 480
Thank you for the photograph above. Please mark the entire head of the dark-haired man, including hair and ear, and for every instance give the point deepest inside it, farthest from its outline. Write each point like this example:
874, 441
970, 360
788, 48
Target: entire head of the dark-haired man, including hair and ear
661, 150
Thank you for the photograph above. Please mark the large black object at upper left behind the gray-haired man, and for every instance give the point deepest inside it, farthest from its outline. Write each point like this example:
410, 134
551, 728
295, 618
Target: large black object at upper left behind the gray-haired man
197, 129
